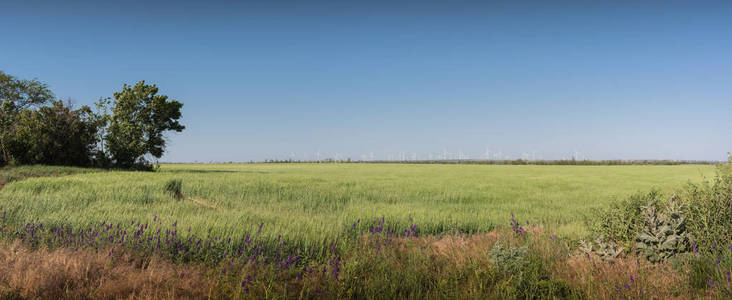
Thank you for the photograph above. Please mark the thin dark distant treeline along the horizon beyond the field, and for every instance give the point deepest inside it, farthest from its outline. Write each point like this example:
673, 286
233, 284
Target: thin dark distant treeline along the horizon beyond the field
561, 162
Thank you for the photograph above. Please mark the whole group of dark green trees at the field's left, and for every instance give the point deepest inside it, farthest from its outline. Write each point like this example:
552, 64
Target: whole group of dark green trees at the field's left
124, 131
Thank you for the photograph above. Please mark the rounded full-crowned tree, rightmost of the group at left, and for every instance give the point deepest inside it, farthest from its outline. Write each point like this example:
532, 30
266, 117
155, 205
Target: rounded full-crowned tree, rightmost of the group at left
139, 118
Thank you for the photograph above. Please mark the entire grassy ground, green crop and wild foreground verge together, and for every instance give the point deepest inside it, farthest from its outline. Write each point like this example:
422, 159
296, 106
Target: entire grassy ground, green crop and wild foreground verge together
361, 231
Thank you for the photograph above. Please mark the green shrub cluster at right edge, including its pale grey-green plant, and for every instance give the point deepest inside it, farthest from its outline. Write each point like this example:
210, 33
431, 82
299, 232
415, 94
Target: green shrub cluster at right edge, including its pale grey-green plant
698, 215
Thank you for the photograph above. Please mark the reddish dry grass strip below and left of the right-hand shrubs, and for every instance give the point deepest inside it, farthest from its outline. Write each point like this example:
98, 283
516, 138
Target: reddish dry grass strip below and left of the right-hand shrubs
598, 279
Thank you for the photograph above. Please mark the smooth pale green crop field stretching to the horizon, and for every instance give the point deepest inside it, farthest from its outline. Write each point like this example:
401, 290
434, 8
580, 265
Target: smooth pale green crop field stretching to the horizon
317, 202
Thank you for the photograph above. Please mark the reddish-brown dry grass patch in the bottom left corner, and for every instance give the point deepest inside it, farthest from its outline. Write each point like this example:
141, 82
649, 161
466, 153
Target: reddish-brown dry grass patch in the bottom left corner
86, 274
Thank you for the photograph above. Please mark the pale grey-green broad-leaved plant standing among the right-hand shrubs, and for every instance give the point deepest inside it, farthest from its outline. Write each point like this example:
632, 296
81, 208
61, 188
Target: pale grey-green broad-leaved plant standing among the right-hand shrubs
664, 234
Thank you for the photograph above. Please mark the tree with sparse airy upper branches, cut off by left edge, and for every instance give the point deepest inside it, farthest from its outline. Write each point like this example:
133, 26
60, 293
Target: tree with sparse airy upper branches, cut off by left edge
17, 95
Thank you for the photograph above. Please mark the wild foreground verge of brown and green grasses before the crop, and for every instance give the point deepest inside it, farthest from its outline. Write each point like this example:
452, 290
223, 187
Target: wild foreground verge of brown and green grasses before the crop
376, 263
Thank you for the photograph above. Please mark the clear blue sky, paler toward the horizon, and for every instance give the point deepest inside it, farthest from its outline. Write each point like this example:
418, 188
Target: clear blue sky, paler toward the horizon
290, 79
